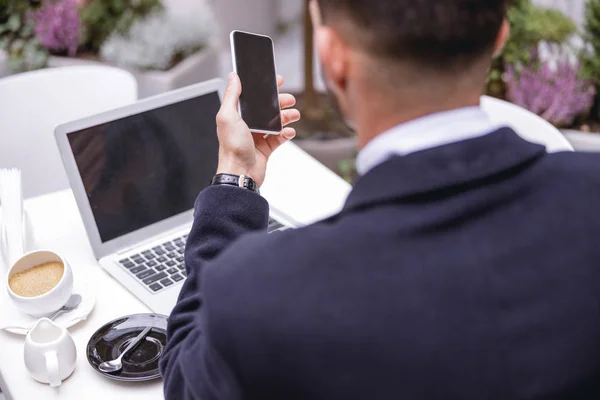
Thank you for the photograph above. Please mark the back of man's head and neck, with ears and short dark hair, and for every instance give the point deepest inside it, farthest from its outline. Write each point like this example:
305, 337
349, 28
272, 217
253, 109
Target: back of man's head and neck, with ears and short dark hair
389, 61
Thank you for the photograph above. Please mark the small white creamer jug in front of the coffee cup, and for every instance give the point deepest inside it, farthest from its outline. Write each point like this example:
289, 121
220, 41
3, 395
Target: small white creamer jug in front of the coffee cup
50, 353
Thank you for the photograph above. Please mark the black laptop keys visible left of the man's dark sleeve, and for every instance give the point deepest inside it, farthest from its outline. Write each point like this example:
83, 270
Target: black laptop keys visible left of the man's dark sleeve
159, 267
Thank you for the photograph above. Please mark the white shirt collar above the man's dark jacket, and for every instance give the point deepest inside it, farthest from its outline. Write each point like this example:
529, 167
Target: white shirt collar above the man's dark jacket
431, 131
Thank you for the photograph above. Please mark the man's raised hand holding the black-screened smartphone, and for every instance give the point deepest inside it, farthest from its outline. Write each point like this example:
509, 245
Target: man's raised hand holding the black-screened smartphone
244, 153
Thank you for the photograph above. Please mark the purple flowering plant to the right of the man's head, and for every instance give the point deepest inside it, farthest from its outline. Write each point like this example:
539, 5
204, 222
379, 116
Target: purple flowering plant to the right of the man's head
554, 92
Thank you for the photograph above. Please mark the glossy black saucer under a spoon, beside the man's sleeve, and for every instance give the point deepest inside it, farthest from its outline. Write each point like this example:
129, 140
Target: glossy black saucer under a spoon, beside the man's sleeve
141, 364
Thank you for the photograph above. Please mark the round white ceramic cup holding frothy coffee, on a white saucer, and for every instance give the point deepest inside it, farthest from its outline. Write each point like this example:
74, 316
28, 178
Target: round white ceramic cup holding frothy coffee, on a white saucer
50, 301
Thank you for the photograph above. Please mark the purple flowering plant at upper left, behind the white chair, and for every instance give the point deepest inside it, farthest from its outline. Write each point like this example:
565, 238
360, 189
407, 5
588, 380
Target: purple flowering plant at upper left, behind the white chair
57, 25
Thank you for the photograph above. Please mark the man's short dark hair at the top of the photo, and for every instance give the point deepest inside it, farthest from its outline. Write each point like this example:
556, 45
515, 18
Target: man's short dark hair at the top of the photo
437, 34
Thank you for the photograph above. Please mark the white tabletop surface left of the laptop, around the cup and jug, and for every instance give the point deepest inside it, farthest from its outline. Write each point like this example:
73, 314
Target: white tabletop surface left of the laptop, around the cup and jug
58, 227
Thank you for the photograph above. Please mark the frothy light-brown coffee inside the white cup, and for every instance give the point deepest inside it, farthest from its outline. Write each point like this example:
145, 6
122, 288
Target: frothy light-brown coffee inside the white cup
37, 280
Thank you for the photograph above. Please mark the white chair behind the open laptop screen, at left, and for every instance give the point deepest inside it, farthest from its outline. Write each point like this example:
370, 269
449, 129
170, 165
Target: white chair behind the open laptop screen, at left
32, 104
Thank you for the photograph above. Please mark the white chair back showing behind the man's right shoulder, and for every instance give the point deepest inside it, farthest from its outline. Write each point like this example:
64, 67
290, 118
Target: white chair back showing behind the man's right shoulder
528, 125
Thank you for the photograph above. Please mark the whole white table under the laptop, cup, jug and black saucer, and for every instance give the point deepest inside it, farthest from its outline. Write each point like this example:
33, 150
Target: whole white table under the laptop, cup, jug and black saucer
296, 183
